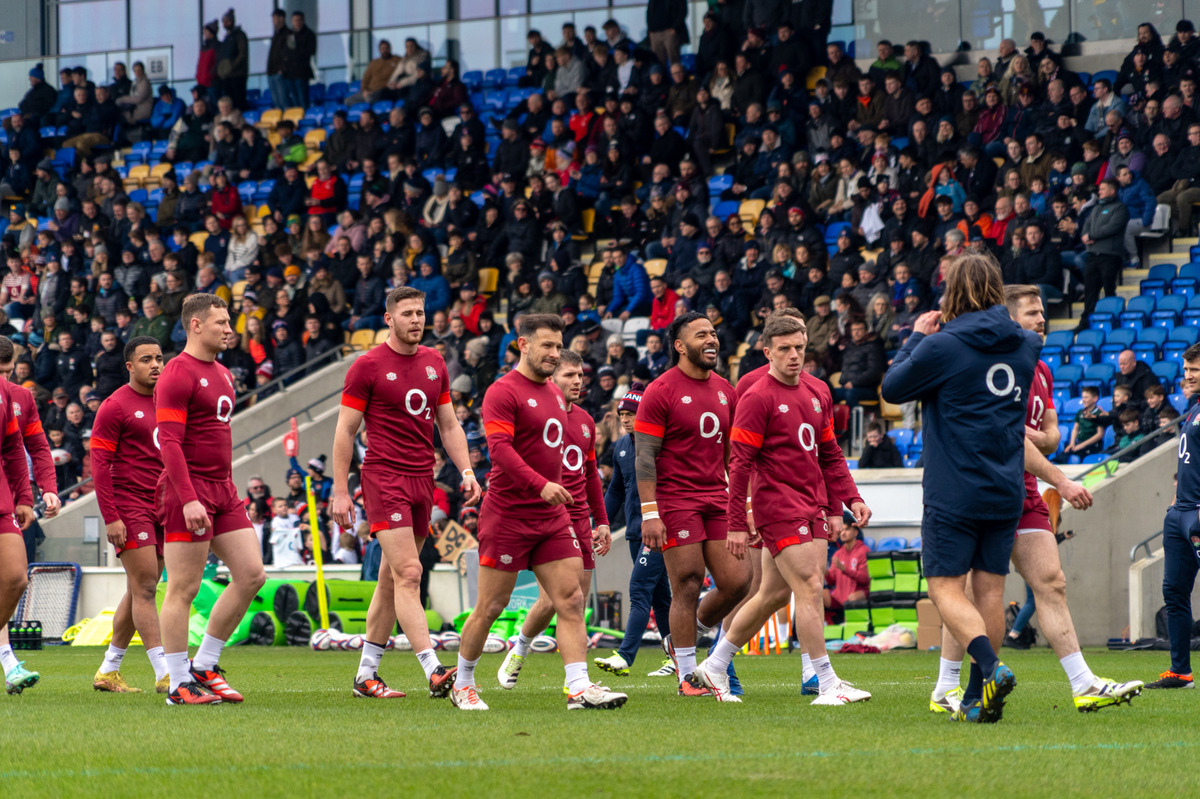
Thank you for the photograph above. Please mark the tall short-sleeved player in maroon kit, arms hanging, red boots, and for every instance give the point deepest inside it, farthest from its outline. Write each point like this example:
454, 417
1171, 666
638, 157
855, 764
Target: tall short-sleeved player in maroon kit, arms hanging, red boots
403, 392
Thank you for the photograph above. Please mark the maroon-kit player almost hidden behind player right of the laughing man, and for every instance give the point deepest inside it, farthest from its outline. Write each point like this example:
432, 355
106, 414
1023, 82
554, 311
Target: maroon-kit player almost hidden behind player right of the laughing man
783, 594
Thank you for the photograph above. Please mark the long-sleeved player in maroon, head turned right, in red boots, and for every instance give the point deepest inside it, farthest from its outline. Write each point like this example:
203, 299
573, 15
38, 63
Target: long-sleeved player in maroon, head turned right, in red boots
199, 503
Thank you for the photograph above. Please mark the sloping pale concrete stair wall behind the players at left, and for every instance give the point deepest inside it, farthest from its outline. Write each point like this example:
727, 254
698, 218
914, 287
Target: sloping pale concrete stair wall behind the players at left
257, 437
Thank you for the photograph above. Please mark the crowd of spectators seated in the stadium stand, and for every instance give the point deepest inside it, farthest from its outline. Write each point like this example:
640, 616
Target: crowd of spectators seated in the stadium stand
746, 181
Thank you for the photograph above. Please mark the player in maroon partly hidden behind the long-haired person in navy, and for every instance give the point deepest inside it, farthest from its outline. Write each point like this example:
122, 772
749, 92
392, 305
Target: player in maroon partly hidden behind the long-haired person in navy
1036, 551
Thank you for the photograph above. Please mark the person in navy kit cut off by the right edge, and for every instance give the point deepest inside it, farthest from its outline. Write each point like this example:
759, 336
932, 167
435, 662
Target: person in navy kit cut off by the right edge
1180, 556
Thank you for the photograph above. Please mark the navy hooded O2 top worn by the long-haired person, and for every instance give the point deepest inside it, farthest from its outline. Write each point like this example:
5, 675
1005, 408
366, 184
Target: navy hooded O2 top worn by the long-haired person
974, 380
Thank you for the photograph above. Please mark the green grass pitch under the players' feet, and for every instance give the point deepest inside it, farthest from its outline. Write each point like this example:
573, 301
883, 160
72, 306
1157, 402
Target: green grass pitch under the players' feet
301, 734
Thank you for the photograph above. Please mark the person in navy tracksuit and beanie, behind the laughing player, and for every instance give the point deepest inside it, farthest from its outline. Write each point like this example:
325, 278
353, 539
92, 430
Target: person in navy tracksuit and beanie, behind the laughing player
649, 586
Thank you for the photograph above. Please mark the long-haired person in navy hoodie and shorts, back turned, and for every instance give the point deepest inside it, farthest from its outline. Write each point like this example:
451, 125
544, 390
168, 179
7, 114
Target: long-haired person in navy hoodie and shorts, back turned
973, 379
